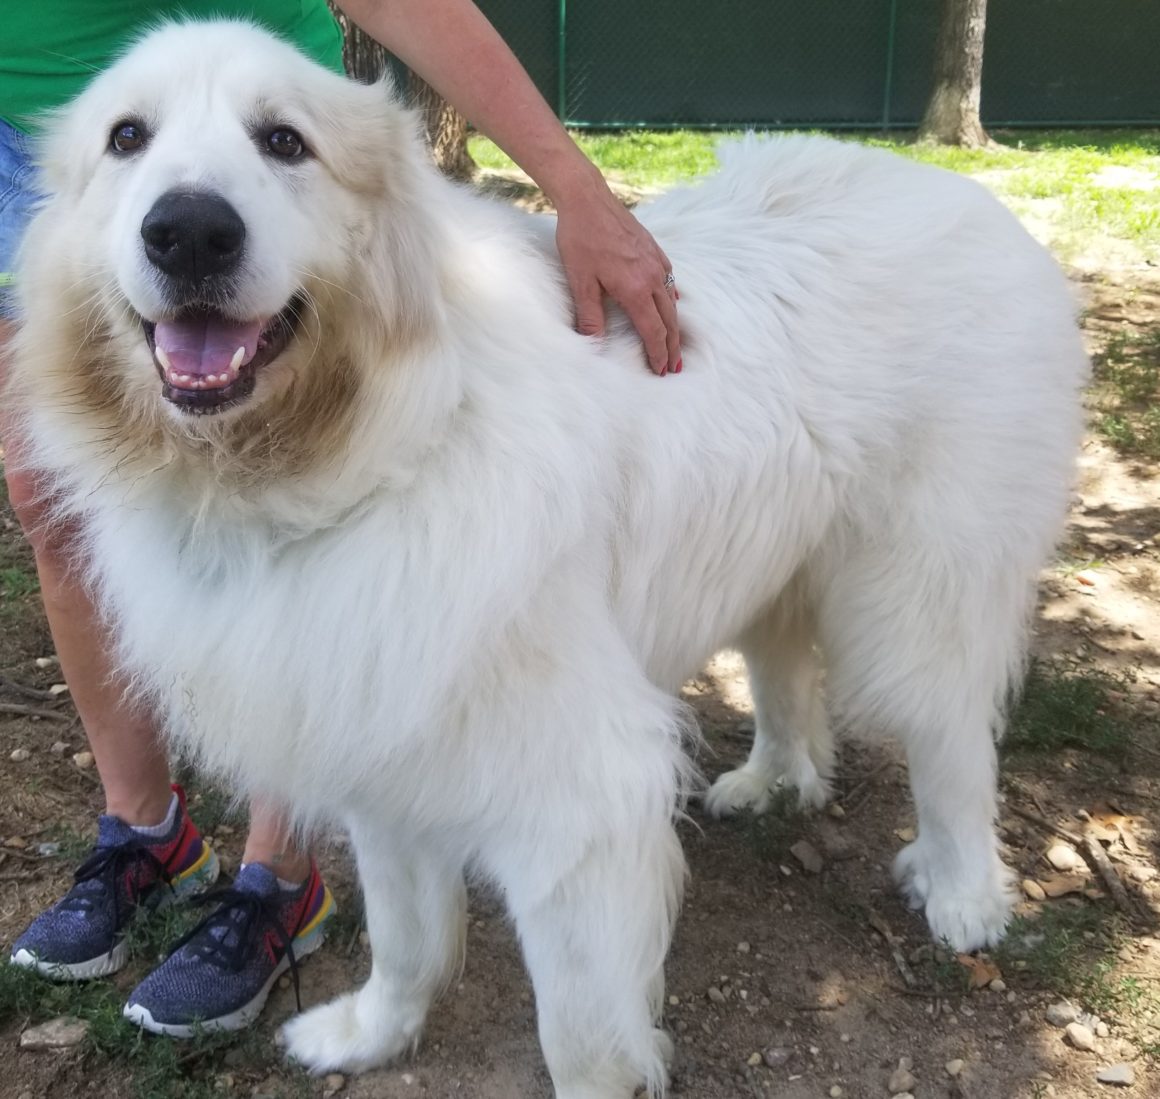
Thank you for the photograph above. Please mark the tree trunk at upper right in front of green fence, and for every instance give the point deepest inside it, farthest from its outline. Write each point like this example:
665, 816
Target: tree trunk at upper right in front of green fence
953, 114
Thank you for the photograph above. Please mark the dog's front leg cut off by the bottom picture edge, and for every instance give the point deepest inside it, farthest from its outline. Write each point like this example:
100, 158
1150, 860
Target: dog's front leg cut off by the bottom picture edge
596, 948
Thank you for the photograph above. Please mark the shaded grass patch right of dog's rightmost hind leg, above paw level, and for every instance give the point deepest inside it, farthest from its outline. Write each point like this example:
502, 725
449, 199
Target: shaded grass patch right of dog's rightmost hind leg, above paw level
1063, 707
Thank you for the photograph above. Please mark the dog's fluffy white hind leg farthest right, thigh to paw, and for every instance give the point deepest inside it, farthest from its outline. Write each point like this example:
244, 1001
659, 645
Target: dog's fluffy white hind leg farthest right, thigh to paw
927, 653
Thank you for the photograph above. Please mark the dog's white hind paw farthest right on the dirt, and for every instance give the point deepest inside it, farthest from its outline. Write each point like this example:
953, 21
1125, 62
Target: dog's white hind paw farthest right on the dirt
968, 910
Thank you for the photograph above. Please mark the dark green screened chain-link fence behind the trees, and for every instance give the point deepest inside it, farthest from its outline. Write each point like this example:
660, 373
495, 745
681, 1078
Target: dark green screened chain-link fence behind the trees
830, 63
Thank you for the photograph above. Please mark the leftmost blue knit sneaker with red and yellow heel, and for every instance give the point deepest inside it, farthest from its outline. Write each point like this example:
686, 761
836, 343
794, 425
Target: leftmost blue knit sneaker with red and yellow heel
83, 936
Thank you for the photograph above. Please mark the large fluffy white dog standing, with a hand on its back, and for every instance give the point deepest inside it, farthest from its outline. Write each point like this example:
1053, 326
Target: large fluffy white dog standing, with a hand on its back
385, 539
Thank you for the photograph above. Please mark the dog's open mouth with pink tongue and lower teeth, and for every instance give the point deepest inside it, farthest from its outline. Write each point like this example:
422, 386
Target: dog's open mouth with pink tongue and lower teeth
209, 363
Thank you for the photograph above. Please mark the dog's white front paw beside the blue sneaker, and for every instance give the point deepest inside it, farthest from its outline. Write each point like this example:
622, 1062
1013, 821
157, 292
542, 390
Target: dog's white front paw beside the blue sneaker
350, 1035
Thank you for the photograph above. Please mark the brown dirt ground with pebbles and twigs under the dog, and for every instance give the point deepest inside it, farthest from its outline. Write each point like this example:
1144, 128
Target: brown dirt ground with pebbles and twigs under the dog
785, 980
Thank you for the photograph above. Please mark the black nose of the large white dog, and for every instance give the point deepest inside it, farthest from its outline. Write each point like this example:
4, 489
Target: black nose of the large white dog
193, 236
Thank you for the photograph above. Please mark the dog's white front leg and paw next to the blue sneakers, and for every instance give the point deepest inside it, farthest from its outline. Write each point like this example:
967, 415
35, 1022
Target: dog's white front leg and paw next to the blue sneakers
417, 919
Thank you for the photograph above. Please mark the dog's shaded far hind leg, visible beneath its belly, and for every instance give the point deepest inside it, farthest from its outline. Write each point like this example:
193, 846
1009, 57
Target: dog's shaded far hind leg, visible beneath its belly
793, 744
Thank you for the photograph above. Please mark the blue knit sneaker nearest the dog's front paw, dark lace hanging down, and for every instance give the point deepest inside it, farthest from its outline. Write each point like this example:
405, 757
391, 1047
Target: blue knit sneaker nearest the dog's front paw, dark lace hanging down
220, 975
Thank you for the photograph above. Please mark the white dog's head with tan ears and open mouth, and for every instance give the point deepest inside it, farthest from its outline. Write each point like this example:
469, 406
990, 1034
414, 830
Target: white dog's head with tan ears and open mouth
221, 213
